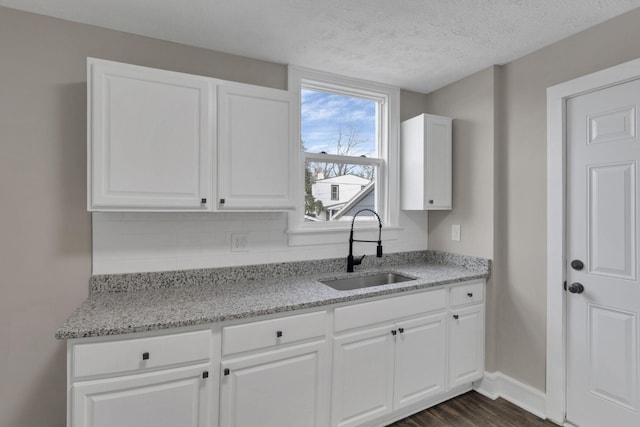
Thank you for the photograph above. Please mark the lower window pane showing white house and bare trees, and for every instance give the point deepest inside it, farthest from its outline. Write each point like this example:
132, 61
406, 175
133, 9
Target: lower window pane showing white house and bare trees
336, 191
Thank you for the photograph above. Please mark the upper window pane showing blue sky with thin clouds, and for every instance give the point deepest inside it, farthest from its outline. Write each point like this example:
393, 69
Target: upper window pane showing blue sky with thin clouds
338, 124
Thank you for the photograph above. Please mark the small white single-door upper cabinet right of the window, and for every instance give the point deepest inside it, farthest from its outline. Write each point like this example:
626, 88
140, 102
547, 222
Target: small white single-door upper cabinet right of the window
426, 172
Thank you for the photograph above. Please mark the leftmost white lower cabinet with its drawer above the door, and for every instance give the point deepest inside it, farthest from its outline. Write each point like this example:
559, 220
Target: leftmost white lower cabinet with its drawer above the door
144, 381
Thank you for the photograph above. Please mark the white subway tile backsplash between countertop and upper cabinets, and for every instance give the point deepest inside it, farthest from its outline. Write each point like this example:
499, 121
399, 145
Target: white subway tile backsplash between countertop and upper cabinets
134, 242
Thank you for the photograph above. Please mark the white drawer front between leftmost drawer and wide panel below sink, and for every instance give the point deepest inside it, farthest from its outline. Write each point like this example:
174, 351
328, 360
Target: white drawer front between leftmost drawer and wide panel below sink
267, 333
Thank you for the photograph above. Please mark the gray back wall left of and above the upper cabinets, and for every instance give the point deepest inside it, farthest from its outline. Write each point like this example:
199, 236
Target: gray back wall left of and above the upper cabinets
45, 254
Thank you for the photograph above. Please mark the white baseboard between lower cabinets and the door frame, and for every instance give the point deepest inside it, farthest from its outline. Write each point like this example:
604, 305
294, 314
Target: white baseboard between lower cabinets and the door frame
497, 384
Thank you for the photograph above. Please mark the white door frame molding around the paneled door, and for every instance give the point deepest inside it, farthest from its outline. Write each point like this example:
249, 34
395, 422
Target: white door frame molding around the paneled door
556, 375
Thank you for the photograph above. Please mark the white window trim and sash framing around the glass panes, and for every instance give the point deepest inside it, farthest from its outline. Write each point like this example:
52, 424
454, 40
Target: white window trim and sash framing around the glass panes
389, 131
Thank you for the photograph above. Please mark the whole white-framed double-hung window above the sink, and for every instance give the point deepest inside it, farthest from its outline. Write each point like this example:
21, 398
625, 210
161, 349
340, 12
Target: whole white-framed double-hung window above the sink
348, 151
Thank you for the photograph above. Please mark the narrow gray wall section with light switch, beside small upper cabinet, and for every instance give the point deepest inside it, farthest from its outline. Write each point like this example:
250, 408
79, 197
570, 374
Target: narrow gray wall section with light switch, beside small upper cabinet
471, 102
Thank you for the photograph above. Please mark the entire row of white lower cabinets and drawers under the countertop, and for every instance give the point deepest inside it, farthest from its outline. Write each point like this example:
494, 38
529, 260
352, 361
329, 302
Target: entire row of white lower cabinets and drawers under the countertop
367, 363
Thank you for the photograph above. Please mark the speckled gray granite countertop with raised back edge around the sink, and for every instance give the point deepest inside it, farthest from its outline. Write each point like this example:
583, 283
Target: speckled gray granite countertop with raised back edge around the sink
120, 304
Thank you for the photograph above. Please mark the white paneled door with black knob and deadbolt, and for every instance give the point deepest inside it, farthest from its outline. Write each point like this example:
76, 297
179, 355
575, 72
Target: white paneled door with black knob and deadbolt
603, 302
